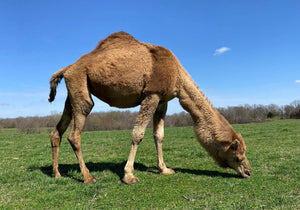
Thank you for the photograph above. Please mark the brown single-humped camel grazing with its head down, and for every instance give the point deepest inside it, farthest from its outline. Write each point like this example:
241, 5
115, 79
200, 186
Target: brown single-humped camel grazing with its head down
124, 72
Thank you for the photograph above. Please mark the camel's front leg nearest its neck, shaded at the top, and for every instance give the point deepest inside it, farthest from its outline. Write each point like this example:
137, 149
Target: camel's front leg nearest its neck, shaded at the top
158, 134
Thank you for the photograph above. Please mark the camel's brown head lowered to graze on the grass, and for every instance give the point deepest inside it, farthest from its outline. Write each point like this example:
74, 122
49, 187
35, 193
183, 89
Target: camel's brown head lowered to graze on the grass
234, 156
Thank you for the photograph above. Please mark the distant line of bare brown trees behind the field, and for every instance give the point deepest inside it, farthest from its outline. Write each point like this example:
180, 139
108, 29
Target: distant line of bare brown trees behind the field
121, 120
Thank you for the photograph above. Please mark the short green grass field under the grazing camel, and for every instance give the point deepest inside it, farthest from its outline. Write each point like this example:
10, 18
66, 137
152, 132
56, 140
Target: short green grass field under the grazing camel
273, 149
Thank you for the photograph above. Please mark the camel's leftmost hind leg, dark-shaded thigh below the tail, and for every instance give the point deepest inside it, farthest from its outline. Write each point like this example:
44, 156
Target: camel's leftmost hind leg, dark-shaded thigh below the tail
56, 135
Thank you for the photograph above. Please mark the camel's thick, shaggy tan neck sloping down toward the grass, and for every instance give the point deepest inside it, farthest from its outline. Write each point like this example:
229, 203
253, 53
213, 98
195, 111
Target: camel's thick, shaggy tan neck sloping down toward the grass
209, 125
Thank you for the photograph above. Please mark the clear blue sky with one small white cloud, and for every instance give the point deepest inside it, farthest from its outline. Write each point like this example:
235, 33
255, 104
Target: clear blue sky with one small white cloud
238, 52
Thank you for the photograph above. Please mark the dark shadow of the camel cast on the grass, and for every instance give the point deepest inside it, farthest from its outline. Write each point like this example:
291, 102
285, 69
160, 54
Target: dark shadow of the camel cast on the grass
118, 169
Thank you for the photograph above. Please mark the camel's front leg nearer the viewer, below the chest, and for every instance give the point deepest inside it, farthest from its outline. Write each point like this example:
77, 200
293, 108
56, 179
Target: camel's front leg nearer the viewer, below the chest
148, 107
